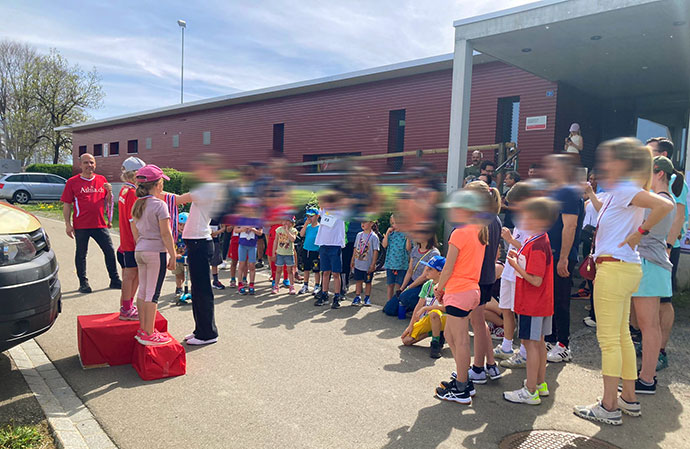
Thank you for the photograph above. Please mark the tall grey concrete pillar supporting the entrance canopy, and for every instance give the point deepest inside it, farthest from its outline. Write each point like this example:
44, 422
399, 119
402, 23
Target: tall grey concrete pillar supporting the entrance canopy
459, 114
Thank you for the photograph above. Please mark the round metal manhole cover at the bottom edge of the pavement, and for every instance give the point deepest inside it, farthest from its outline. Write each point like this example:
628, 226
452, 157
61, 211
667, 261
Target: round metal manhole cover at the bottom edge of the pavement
552, 439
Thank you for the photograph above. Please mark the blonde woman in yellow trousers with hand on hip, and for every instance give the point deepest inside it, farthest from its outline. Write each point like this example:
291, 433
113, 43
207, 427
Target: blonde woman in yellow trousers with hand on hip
625, 165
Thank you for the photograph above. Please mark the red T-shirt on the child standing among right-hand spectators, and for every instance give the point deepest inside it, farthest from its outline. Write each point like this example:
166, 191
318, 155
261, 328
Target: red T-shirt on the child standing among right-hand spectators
537, 261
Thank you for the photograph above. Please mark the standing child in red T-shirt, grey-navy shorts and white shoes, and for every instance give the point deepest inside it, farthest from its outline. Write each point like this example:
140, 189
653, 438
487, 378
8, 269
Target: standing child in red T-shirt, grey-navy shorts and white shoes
533, 265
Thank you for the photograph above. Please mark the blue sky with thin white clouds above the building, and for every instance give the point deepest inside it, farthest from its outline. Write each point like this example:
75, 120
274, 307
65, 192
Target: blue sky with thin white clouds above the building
230, 45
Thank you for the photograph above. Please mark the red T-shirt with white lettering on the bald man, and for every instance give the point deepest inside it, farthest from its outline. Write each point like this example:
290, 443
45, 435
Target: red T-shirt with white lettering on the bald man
88, 198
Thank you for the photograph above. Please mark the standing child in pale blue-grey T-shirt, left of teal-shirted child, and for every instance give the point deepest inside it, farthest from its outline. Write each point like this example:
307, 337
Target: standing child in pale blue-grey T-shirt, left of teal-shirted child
364, 256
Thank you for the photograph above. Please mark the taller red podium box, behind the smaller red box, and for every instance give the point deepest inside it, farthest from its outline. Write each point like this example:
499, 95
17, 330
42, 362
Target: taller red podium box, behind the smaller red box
106, 340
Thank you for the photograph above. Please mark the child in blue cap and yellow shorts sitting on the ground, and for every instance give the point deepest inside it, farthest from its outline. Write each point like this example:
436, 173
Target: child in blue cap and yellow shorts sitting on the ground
428, 318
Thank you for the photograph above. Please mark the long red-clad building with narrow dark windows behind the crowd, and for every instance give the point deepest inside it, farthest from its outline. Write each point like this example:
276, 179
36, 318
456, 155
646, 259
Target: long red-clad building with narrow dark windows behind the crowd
394, 108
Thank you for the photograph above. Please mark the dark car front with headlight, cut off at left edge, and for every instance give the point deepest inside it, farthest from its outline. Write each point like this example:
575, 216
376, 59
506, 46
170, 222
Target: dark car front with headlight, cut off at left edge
30, 296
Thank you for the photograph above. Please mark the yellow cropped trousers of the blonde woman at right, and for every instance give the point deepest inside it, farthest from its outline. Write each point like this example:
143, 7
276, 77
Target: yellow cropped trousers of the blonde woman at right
613, 287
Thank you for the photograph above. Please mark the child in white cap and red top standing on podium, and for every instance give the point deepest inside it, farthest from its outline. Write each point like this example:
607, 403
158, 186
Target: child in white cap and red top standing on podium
125, 253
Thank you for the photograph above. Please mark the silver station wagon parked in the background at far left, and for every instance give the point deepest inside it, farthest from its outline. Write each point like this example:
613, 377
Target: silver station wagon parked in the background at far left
23, 187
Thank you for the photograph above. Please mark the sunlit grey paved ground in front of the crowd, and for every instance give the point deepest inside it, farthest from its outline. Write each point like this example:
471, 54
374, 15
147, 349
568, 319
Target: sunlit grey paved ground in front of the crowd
285, 373
